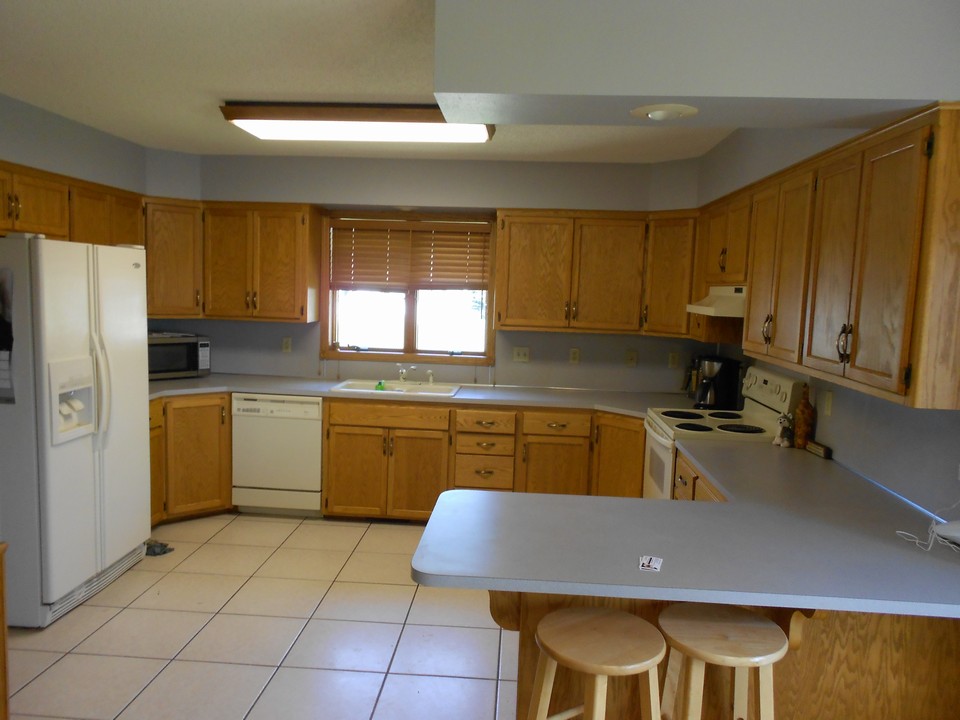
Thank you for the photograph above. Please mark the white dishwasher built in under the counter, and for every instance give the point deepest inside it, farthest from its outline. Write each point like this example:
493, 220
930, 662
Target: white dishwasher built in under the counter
276, 452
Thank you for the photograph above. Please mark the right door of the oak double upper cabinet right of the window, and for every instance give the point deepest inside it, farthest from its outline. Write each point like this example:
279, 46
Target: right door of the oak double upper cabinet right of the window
607, 275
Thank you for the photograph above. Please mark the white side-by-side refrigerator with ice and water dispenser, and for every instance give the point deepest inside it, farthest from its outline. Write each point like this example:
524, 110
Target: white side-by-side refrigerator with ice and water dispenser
74, 428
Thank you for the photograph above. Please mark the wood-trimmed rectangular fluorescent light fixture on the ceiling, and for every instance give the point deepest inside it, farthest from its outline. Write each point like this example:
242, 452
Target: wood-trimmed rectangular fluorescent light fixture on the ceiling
351, 123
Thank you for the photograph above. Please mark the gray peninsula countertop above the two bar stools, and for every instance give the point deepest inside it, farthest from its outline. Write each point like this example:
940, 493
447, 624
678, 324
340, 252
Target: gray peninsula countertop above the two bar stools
798, 531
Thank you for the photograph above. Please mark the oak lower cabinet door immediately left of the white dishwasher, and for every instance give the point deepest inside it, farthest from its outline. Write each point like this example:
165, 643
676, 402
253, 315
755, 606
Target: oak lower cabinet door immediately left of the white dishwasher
198, 454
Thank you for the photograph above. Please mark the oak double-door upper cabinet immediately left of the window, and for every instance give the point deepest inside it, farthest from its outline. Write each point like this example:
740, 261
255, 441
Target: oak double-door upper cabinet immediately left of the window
261, 261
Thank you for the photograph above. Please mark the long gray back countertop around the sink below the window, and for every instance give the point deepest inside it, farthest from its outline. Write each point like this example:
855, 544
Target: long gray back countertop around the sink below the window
625, 403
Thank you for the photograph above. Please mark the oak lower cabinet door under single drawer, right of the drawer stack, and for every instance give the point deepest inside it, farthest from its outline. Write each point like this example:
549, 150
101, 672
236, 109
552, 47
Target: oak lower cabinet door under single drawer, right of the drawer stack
555, 464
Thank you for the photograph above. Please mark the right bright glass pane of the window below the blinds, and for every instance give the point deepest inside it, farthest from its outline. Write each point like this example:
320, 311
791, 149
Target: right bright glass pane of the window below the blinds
451, 320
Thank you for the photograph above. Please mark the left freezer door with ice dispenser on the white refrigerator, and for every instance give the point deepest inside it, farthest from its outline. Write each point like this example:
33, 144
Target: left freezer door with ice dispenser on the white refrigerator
69, 537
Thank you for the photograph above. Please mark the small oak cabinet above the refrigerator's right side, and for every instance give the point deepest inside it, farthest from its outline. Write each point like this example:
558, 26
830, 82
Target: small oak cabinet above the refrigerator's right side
104, 217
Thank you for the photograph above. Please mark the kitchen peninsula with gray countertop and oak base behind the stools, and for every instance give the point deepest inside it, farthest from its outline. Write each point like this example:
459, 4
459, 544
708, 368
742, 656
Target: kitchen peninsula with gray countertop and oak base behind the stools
872, 618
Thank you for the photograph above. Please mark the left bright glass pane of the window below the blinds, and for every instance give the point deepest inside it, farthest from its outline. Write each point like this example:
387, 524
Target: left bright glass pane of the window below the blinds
370, 319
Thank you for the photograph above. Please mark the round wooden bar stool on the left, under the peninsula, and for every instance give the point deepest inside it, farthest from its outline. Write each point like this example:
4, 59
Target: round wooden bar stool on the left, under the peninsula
599, 642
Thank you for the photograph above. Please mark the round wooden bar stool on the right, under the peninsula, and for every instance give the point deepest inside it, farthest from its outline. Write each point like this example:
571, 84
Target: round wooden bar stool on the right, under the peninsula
725, 635
